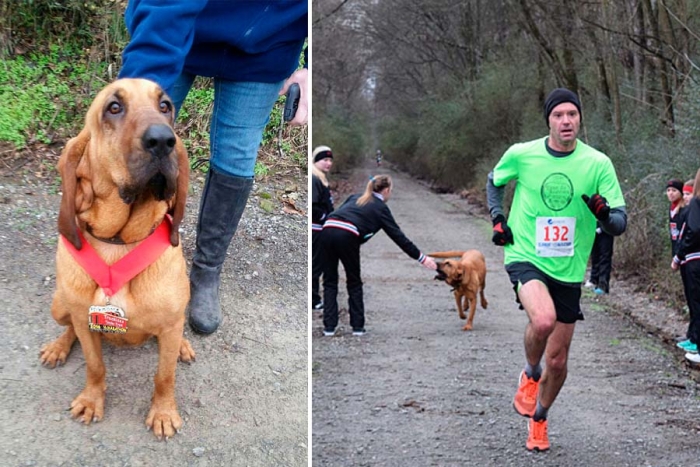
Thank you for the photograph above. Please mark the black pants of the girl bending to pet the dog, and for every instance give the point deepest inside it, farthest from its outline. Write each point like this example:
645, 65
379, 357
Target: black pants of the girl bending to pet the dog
341, 246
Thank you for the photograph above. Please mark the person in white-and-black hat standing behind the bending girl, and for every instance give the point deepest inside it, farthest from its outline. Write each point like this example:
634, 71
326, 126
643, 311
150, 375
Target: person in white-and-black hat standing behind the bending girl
321, 207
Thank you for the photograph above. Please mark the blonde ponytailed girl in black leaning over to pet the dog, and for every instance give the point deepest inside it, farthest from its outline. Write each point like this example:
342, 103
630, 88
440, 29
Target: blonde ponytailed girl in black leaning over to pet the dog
345, 230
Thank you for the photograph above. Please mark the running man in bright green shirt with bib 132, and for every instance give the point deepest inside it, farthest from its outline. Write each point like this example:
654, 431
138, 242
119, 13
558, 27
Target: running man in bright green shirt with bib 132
563, 188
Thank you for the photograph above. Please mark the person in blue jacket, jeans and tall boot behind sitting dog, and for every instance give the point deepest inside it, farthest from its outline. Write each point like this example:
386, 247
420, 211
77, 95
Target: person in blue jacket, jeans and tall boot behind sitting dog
252, 50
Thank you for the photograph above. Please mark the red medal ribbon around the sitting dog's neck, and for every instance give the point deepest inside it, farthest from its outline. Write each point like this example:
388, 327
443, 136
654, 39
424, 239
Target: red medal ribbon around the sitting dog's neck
112, 278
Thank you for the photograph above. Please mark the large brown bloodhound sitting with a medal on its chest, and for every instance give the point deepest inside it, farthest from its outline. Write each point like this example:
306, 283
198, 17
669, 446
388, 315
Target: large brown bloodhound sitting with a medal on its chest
121, 177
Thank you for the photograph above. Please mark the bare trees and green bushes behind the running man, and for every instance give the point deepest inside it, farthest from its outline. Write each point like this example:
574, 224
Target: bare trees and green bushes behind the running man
444, 87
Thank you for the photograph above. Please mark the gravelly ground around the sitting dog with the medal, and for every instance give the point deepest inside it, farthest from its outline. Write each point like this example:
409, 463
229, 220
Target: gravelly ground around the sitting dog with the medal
245, 399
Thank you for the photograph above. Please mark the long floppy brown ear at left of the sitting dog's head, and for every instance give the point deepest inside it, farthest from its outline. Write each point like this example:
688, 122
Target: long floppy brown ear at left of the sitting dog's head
67, 166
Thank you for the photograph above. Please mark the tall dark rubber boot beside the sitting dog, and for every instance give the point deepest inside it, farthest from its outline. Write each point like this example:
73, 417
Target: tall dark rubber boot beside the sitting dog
223, 202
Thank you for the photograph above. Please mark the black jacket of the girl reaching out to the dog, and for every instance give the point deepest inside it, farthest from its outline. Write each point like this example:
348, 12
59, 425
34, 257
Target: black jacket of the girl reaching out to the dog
372, 217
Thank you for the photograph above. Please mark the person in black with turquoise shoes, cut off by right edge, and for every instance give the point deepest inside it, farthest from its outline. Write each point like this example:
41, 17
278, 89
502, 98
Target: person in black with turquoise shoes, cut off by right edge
687, 258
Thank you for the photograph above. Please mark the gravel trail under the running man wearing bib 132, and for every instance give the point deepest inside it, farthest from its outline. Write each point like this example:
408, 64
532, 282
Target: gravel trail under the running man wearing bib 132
417, 390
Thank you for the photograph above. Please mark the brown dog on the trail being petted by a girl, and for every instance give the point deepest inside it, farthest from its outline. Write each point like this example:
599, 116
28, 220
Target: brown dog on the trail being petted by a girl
467, 276
